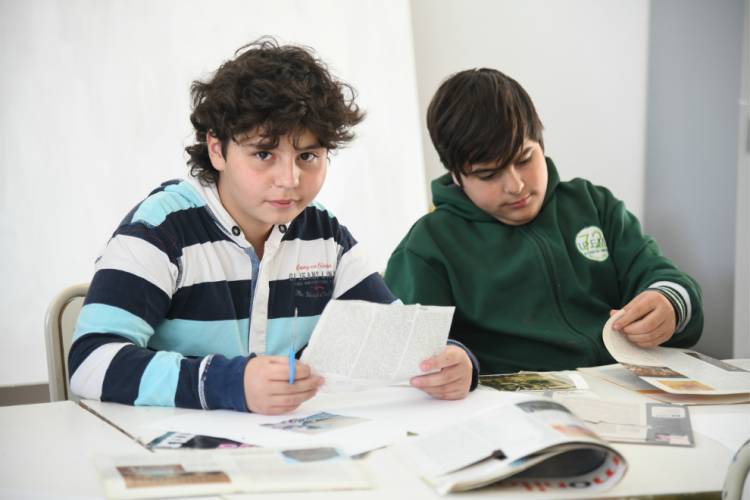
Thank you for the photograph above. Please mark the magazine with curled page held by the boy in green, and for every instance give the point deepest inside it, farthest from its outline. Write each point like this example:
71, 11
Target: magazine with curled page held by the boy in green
676, 371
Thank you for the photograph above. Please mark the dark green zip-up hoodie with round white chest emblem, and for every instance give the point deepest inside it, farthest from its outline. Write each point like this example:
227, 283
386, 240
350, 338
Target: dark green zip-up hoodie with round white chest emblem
535, 297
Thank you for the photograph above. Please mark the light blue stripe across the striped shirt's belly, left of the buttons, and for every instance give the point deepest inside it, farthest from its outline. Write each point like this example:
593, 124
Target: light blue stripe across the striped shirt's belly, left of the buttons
201, 338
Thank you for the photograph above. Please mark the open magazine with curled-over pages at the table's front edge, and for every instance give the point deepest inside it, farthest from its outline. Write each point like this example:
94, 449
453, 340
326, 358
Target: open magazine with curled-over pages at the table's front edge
523, 443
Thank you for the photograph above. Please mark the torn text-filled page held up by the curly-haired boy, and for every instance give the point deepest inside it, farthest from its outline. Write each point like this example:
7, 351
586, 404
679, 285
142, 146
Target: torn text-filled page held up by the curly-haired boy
358, 344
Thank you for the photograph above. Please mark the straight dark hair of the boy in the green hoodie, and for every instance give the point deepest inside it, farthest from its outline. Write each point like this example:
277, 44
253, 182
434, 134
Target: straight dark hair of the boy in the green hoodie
481, 115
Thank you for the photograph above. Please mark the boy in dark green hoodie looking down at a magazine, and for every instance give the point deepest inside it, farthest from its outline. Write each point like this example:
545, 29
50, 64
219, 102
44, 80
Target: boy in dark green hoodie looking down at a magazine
533, 265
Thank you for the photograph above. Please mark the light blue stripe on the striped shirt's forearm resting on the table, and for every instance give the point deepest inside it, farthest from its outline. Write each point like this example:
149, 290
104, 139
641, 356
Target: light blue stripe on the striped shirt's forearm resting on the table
159, 380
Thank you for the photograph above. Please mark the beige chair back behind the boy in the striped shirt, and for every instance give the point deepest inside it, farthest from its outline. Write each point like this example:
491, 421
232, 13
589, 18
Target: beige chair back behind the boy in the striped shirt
59, 325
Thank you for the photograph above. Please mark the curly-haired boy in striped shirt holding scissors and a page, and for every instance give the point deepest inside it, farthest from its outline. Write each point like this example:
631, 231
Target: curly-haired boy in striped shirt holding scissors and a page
193, 298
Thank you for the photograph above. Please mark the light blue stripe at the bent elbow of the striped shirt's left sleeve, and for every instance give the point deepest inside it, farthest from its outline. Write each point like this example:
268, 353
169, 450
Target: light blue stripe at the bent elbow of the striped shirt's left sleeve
102, 318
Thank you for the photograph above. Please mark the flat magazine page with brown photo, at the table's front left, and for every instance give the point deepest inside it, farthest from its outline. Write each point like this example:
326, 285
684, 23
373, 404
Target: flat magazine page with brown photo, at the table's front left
194, 473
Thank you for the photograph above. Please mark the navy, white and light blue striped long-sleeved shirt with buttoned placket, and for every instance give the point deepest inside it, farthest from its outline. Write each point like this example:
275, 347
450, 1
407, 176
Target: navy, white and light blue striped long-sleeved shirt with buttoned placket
179, 301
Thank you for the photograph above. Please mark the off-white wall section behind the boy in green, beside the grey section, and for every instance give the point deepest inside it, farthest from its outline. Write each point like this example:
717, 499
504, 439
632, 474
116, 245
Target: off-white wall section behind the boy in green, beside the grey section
583, 62
